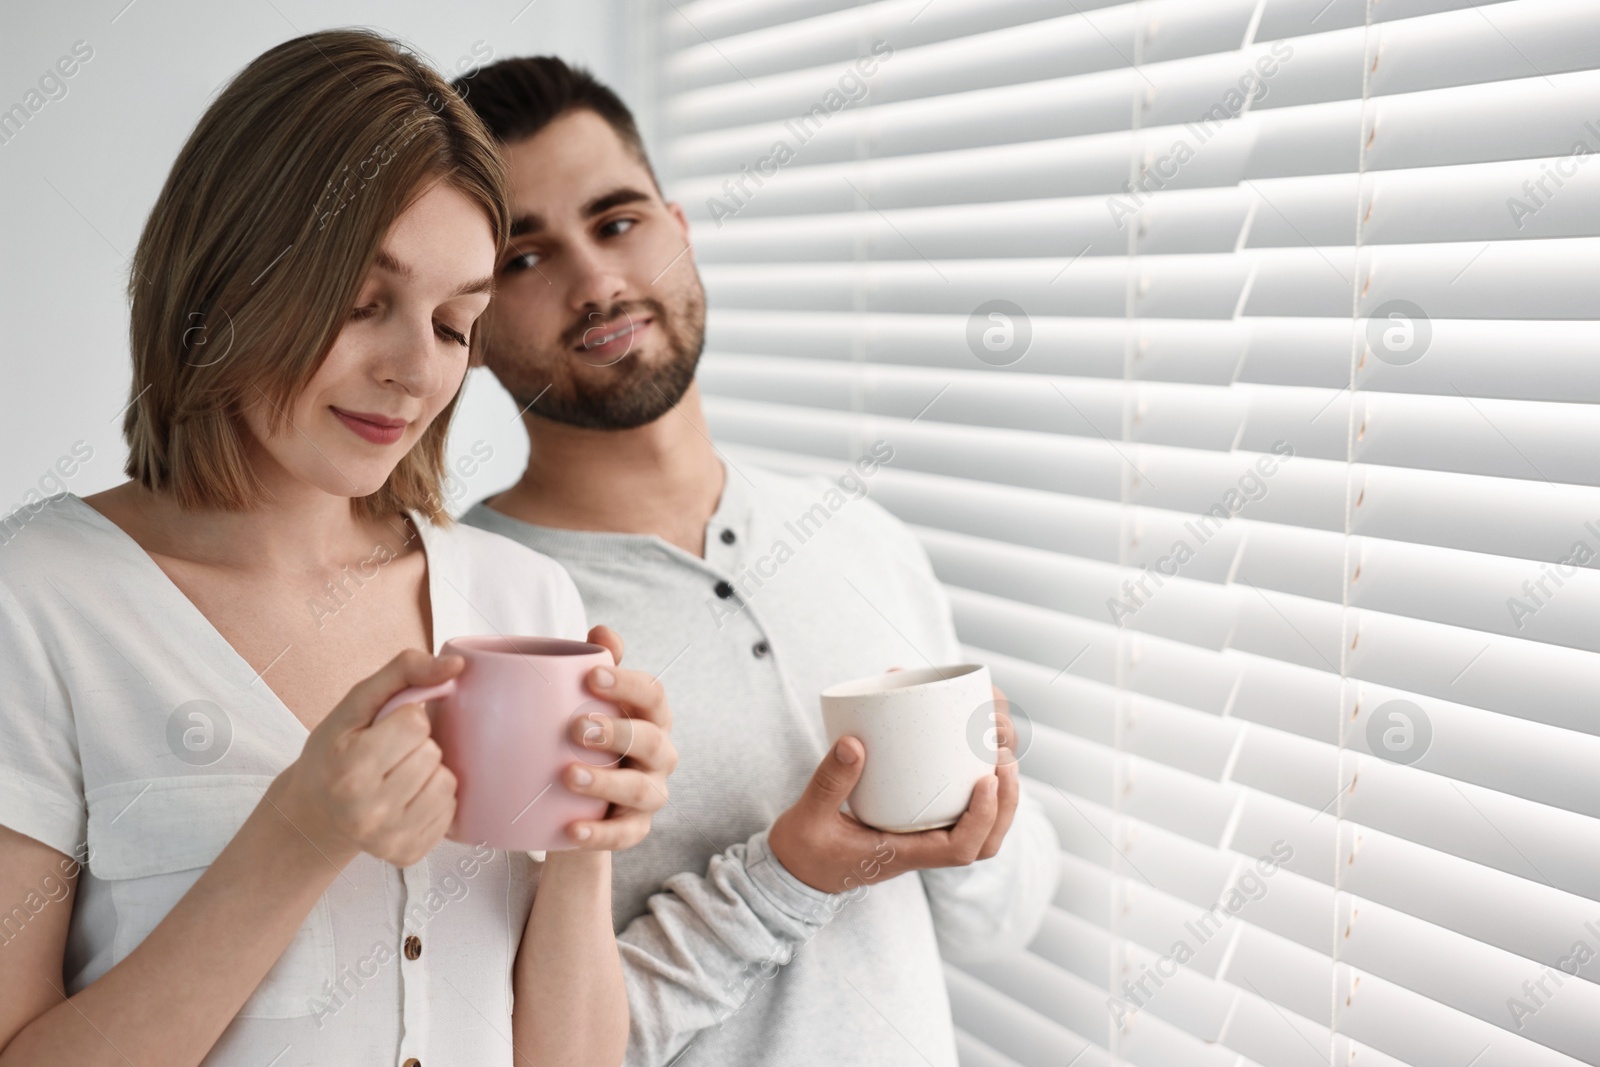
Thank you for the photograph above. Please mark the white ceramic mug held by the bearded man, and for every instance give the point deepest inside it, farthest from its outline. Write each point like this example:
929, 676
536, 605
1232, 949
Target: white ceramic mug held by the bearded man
918, 729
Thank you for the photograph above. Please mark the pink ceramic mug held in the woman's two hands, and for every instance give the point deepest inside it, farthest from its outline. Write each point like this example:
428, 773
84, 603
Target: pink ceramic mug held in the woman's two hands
503, 725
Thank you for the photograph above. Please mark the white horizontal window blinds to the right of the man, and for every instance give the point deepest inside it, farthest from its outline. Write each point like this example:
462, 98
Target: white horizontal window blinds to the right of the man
1238, 358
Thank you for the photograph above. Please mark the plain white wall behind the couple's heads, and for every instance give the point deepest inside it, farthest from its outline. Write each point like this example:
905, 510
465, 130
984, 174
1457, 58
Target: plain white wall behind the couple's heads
82, 175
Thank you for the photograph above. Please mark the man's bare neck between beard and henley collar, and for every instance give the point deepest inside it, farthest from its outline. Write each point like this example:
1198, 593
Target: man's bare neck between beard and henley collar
658, 479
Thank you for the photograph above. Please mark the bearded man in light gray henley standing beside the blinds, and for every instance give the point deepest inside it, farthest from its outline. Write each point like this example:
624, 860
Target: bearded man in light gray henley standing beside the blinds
758, 924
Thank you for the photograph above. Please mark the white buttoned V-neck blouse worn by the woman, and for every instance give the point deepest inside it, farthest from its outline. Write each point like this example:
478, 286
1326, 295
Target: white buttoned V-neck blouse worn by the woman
135, 738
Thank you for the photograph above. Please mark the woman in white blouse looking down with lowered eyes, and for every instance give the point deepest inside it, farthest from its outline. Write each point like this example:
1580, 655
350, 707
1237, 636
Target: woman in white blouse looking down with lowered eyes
263, 873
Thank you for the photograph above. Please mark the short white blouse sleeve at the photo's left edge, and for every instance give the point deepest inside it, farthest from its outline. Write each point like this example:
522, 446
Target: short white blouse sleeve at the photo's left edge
41, 773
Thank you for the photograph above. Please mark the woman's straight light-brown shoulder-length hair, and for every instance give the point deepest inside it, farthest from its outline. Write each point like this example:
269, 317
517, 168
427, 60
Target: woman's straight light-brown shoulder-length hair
258, 242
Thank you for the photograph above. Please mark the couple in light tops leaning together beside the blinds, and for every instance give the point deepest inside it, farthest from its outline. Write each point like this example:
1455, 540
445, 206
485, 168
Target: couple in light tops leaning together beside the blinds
306, 300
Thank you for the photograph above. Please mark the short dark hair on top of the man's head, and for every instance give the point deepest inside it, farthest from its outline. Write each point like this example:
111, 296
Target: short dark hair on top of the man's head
518, 98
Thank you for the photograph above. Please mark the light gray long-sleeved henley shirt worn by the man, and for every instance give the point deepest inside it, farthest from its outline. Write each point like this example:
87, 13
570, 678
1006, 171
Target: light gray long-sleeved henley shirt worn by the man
730, 961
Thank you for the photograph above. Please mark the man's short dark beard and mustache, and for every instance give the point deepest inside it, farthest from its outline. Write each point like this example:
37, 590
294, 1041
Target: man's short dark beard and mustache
633, 393
